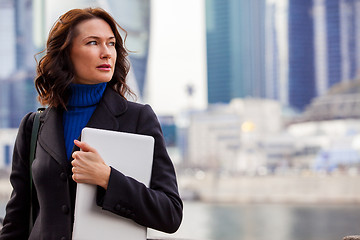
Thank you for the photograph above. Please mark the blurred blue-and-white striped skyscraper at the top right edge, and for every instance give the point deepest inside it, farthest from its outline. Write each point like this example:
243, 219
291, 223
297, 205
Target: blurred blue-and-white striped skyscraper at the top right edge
337, 43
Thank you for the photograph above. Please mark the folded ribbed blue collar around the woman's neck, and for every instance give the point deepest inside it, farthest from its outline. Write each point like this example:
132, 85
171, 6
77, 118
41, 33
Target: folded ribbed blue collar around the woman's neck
83, 95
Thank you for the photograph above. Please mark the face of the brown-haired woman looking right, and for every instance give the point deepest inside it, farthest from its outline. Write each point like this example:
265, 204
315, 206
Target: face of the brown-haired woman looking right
93, 52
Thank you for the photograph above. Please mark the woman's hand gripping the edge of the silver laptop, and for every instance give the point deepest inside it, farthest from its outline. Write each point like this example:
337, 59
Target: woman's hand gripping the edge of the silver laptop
89, 167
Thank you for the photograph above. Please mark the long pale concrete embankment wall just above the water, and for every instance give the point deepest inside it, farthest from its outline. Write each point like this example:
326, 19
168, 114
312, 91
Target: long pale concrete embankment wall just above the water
272, 189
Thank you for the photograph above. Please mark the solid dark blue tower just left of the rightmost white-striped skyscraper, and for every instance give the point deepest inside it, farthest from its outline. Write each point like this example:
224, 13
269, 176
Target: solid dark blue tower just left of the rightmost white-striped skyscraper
301, 54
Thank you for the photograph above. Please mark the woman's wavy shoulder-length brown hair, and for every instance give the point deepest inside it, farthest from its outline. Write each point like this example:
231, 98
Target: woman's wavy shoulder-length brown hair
55, 71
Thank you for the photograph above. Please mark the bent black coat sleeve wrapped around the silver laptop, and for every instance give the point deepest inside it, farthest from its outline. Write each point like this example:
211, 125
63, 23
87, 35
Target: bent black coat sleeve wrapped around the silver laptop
158, 207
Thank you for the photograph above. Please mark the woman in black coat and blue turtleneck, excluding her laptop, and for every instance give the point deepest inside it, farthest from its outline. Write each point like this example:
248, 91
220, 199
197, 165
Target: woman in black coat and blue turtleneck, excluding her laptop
82, 79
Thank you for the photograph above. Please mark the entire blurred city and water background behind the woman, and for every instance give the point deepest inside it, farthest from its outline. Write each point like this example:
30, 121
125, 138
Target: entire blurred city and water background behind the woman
259, 103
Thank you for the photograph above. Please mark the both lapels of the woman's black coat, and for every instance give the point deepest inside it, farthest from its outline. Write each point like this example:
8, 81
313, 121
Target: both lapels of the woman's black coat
51, 133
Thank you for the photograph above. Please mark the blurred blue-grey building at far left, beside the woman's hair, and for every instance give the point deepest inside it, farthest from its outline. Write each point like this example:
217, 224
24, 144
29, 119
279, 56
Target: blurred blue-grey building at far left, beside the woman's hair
17, 63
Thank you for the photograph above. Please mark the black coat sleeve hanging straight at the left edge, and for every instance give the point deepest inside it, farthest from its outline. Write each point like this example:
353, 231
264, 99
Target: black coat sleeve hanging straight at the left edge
16, 221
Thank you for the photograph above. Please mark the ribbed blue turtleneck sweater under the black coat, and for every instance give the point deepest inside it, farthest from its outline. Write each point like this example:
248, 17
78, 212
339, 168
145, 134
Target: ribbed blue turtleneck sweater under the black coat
82, 103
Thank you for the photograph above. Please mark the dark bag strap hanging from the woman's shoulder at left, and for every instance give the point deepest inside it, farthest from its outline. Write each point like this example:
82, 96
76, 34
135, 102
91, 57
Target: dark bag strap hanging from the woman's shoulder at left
33, 141
